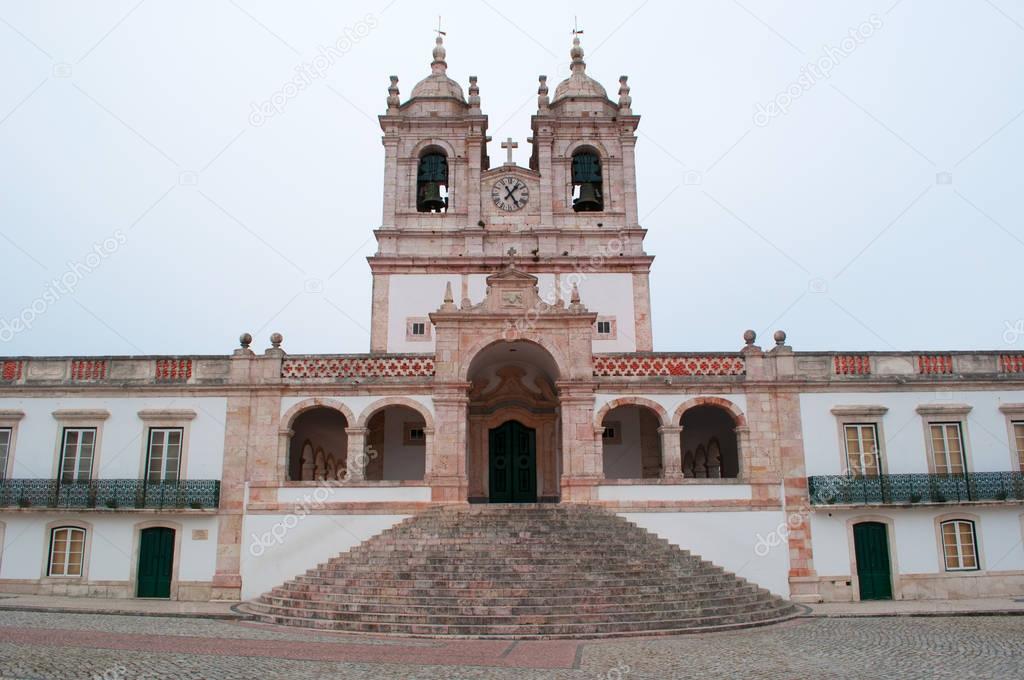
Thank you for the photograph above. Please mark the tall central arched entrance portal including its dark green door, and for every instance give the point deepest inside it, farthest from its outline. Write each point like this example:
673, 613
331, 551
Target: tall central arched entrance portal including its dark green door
514, 431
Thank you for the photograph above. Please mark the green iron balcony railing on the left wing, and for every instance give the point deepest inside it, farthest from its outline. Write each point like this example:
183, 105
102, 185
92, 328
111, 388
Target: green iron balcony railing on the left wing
111, 494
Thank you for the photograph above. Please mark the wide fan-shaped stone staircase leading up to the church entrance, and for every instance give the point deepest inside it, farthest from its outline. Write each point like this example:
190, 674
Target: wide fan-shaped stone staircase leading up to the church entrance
519, 572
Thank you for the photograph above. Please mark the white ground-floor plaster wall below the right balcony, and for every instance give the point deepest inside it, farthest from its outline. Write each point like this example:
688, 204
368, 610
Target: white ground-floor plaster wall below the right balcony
916, 542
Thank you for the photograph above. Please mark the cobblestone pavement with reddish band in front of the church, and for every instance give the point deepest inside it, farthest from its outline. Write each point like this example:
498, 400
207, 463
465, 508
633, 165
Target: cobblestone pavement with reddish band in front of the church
41, 646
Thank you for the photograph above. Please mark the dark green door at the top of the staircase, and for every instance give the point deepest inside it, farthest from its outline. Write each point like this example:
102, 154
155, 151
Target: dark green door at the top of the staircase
514, 464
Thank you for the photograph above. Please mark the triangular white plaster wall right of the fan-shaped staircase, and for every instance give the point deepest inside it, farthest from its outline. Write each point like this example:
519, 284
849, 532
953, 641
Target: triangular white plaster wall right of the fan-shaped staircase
728, 539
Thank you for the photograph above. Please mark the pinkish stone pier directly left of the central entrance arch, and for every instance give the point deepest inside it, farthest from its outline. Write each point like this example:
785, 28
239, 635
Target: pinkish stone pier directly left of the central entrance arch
448, 455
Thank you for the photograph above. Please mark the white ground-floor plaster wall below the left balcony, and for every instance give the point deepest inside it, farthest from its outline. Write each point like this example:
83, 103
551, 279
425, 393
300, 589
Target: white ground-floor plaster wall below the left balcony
110, 556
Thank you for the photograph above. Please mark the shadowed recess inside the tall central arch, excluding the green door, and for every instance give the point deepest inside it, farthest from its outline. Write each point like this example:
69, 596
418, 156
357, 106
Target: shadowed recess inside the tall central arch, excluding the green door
514, 381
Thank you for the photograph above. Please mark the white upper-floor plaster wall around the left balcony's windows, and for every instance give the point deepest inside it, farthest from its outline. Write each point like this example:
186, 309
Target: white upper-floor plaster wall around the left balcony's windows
122, 448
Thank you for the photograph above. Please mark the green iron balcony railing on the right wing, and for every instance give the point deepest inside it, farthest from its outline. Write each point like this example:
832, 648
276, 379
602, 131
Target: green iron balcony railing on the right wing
908, 489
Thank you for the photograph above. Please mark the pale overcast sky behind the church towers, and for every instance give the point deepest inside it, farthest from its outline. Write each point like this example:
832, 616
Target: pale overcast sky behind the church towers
863, 193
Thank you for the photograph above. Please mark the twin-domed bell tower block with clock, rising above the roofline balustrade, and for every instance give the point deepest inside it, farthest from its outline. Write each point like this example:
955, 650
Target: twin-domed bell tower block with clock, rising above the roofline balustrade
449, 219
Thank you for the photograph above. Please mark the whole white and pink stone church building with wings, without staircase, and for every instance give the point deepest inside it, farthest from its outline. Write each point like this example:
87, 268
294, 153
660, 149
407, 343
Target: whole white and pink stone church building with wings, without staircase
513, 361
